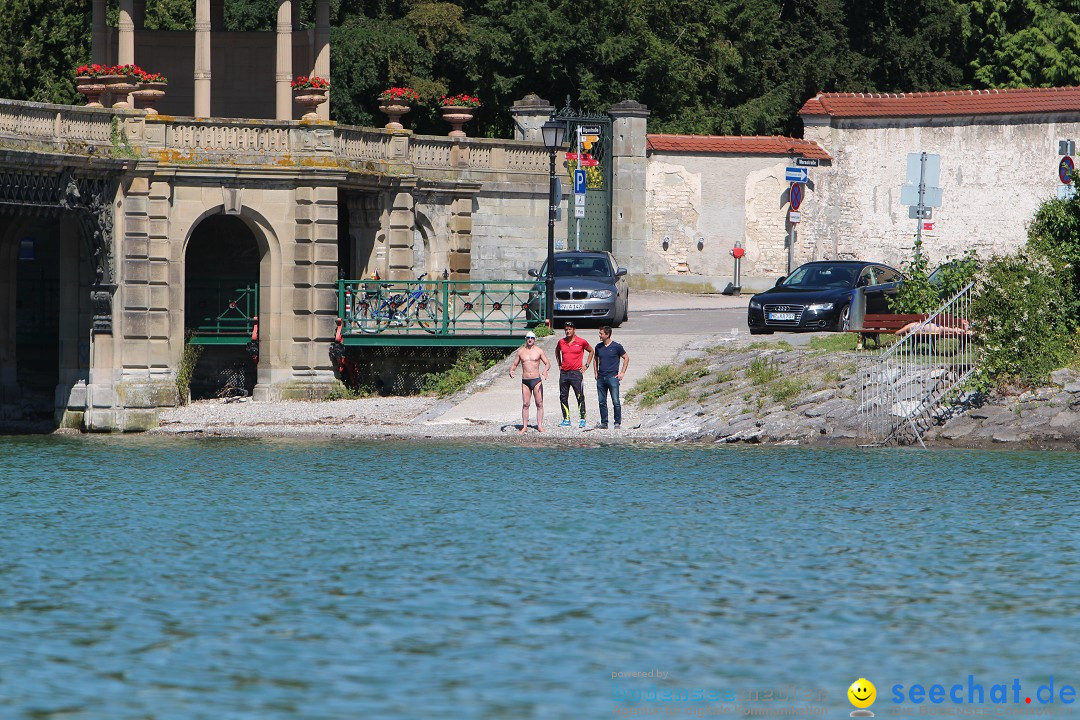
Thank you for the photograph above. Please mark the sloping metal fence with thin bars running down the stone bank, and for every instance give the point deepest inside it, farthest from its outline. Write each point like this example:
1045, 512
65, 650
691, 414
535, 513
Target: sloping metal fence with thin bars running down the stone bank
904, 388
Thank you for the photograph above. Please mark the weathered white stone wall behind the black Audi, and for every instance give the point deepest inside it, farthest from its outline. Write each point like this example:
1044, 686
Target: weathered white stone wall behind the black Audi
995, 173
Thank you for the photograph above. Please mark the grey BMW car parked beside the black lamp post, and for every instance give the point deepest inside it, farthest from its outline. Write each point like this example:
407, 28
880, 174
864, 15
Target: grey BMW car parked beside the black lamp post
590, 287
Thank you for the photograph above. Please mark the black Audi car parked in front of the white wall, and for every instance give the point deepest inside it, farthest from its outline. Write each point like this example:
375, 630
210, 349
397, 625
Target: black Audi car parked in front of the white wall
817, 296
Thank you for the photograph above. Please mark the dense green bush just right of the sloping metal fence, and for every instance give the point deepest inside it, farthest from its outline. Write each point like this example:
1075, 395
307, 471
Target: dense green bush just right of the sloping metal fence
1019, 310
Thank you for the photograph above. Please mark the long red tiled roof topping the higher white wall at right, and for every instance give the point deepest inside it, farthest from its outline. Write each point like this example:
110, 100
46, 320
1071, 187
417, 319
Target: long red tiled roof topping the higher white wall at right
947, 103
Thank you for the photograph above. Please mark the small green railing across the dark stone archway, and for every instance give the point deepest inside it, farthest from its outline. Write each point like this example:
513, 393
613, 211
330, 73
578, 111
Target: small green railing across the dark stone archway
222, 313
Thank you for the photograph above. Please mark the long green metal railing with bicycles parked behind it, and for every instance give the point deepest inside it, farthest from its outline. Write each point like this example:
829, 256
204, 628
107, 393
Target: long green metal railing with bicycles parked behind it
394, 313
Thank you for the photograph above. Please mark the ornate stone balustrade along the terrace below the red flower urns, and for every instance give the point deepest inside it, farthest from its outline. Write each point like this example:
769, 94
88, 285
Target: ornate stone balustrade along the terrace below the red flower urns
244, 142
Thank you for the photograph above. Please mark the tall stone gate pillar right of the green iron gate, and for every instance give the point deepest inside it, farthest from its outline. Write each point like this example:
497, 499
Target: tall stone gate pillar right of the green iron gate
630, 227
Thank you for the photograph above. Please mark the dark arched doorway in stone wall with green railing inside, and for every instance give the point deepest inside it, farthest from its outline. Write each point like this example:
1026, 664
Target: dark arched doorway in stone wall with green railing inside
221, 303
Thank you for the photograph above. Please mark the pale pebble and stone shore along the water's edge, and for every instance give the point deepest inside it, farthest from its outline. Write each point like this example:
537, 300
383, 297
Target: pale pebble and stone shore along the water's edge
720, 405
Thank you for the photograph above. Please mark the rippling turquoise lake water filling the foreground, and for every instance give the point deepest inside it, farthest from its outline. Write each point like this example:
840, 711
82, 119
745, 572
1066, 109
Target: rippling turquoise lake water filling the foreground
144, 578
